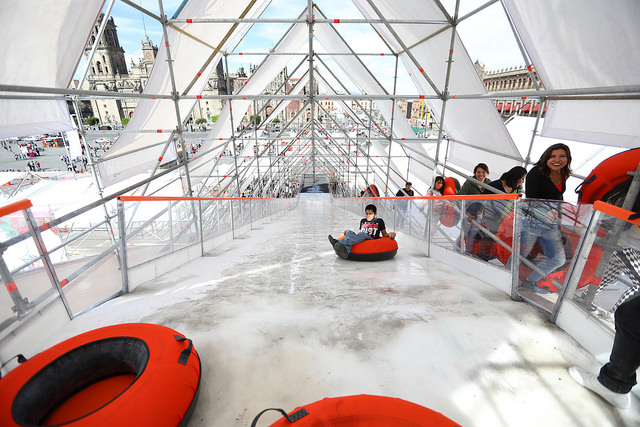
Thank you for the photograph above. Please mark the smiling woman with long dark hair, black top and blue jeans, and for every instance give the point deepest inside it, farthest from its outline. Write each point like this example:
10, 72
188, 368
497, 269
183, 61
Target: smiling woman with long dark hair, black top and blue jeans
546, 181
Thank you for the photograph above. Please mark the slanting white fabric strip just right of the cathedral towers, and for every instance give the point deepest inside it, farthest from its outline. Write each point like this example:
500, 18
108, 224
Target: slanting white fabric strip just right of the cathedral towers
159, 115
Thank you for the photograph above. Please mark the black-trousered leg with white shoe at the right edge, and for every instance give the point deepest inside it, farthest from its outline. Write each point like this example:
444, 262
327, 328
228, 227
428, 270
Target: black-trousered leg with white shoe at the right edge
617, 378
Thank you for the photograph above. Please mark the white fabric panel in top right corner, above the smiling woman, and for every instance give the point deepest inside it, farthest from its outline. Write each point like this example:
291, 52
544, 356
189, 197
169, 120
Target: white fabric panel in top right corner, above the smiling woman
577, 44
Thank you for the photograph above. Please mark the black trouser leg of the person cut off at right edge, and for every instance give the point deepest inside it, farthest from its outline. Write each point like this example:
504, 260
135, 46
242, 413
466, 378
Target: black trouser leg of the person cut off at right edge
619, 375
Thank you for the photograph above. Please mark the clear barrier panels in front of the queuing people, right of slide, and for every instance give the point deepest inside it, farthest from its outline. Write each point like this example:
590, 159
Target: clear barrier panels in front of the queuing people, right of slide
482, 227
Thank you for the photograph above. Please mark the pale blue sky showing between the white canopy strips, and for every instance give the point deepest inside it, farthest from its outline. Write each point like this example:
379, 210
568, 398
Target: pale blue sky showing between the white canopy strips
496, 49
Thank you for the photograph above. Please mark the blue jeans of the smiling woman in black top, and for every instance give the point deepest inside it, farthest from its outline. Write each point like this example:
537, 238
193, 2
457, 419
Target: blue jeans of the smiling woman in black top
549, 237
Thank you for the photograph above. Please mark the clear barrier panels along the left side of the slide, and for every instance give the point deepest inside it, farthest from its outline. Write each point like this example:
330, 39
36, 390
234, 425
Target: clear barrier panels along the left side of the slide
80, 262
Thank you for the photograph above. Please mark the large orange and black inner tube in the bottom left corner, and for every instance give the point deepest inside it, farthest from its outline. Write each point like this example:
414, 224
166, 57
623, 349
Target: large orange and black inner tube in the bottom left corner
131, 374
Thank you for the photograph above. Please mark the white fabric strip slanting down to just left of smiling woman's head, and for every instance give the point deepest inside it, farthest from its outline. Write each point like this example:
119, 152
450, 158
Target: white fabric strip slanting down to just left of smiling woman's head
474, 122
